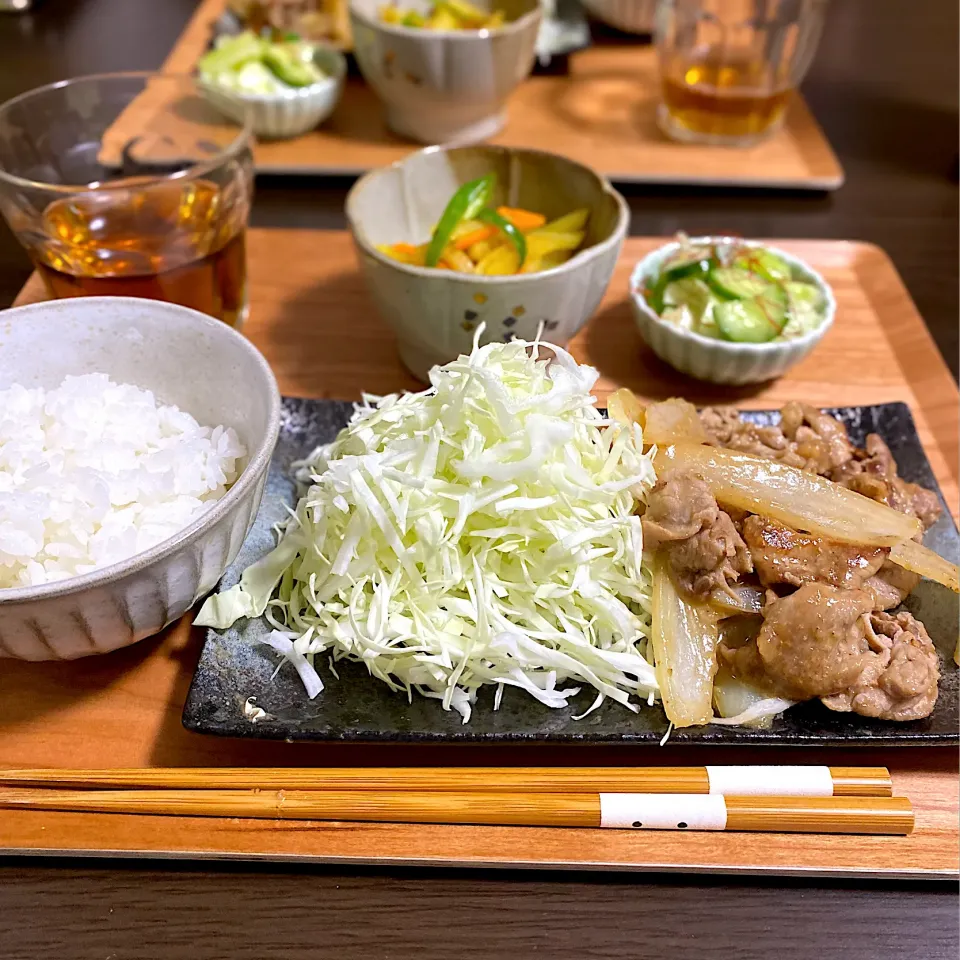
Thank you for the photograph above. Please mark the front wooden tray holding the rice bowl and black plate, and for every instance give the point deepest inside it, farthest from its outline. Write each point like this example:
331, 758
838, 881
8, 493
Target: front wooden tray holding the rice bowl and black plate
314, 322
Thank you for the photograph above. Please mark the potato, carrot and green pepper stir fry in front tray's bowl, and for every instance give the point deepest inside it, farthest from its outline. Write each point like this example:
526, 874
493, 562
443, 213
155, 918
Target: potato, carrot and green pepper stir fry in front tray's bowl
474, 237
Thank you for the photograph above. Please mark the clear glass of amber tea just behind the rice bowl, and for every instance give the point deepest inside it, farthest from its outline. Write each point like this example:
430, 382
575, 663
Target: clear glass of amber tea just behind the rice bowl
129, 185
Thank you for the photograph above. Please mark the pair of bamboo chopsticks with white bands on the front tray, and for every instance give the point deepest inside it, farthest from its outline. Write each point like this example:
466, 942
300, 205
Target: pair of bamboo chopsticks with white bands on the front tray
781, 799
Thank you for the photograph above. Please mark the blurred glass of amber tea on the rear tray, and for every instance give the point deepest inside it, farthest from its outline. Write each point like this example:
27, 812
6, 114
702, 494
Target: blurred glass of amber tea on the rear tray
727, 67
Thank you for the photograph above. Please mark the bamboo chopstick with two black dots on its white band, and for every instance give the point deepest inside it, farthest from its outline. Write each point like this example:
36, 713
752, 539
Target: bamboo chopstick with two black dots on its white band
859, 815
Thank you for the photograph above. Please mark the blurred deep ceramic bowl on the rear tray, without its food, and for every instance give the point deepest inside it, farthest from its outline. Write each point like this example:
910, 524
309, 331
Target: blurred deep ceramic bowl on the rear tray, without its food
447, 86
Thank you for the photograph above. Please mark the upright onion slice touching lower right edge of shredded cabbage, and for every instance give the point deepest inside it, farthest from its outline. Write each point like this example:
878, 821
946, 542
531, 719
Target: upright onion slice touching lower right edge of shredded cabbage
684, 637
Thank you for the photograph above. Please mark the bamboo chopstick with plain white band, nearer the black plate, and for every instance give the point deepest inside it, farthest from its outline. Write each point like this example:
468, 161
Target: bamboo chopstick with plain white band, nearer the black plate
771, 780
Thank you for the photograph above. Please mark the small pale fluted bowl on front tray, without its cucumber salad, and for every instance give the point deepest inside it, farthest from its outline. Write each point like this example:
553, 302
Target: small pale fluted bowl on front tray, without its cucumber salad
723, 361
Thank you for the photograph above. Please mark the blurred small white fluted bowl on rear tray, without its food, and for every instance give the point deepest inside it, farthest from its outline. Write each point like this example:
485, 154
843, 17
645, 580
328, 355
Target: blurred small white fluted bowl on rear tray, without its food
287, 113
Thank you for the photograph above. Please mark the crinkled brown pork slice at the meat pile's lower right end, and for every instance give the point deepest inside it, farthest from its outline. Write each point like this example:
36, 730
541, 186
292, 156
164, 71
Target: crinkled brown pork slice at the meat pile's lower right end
901, 682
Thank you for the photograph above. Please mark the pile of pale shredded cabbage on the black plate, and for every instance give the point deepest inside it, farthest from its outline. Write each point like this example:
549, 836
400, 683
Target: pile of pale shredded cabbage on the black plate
480, 532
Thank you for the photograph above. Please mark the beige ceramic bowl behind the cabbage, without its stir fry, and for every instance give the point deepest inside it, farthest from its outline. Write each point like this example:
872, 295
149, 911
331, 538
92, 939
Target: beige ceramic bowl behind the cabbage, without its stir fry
436, 313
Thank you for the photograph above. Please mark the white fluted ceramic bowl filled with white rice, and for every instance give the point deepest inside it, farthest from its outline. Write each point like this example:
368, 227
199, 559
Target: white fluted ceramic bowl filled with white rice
135, 438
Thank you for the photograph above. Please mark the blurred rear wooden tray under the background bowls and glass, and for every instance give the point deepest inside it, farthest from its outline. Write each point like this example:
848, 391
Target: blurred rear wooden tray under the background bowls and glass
602, 114
